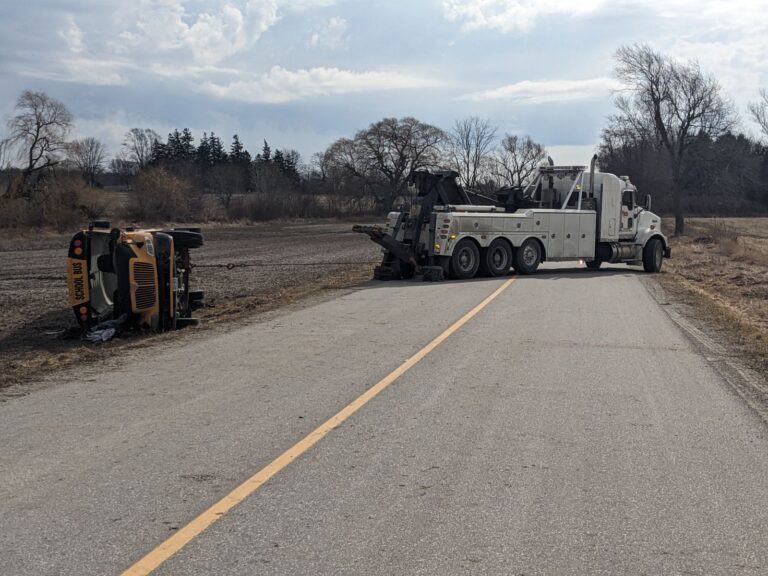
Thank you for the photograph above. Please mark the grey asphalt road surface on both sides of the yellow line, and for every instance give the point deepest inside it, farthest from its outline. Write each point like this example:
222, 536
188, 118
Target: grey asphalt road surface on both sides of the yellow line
567, 428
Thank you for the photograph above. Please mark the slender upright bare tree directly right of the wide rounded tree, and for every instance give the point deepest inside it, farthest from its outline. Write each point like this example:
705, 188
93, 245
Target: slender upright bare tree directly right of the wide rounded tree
470, 146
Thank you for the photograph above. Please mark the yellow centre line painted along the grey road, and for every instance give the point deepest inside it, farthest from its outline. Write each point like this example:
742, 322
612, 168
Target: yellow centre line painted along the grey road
186, 534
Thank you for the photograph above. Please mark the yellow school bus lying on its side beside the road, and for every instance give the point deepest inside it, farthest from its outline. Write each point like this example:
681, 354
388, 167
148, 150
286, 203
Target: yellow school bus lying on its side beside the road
130, 278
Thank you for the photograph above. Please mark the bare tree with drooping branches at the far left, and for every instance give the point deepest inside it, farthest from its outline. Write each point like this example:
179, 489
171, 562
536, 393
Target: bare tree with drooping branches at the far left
38, 131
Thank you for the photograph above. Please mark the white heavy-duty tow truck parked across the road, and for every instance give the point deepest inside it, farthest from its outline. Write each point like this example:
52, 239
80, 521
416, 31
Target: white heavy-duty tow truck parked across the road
565, 213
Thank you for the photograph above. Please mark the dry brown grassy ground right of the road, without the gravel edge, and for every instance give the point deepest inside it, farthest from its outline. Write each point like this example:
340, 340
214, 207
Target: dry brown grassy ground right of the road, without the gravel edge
721, 266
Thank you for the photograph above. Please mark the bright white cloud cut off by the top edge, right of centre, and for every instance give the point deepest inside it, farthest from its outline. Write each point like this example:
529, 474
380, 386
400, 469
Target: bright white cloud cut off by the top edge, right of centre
513, 15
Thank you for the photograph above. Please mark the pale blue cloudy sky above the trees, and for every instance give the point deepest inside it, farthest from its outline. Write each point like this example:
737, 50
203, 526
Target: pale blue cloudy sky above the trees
302, 73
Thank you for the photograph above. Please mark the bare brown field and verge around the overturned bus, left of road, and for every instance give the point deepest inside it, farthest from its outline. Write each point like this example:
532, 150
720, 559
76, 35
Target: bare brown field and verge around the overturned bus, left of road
285, 262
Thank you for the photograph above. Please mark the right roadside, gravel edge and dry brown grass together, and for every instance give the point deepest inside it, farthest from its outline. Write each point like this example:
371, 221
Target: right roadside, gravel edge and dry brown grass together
715, 288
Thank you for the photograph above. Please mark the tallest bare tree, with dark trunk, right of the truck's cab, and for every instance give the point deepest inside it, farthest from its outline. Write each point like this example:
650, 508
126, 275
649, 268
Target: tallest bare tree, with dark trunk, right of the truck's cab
674, 104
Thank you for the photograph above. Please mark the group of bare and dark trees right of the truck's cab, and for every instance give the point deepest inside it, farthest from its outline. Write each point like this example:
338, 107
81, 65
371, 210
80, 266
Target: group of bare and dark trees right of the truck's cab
677, 134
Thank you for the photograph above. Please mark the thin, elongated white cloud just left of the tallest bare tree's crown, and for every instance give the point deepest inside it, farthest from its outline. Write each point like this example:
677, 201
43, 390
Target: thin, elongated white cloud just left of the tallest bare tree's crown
541, 91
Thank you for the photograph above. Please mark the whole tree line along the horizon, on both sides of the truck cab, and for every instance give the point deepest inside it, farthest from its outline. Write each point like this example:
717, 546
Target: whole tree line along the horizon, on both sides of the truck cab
674, 132
